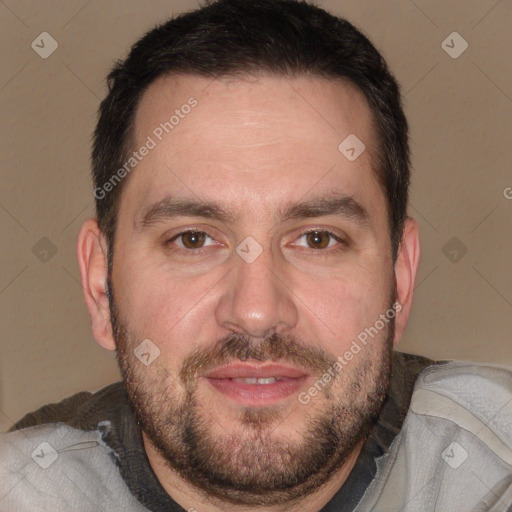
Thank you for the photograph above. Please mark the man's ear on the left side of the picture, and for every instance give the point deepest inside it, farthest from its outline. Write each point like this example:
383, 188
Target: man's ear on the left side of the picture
93, 262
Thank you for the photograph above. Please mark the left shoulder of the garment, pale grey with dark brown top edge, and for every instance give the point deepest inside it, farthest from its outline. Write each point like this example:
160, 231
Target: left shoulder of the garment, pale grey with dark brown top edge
58, 457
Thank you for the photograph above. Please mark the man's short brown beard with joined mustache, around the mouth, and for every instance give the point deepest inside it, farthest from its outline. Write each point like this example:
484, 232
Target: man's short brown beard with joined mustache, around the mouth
252, 465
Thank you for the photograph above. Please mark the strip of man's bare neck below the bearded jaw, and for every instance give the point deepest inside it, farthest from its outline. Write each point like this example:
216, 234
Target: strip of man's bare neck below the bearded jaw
193, 500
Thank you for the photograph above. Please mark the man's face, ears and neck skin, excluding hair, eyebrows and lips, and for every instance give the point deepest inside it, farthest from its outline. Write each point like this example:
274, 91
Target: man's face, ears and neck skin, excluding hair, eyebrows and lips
253, 146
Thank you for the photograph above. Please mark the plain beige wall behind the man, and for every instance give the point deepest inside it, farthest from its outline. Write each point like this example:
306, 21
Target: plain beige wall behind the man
460, 112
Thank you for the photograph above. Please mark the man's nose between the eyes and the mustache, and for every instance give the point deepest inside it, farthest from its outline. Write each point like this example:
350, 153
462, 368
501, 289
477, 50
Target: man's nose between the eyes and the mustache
257, 300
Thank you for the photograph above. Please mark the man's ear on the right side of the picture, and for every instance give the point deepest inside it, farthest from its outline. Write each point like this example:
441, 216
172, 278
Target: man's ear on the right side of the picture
405, 274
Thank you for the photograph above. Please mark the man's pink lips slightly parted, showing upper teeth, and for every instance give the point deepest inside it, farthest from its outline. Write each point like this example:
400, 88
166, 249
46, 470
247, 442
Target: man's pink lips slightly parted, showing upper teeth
256, 385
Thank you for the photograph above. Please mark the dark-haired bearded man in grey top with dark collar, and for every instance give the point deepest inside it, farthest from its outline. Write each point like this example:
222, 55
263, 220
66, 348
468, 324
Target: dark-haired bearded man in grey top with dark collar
253, 265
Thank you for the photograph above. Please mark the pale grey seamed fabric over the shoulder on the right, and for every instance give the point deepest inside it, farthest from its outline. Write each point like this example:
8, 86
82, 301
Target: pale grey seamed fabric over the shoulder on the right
454, 451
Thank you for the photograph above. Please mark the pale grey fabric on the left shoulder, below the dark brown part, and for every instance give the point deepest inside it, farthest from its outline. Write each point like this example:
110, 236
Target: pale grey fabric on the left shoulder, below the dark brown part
57, 467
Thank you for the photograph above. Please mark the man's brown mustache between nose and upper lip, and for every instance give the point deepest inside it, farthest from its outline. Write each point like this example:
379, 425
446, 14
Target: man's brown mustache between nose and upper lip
275, 348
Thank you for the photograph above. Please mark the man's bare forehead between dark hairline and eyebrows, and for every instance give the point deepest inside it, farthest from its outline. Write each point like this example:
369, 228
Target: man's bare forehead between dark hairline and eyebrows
267, 137
